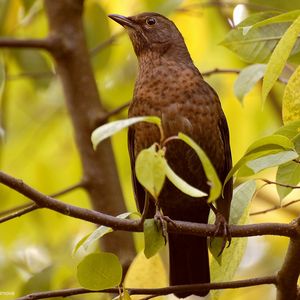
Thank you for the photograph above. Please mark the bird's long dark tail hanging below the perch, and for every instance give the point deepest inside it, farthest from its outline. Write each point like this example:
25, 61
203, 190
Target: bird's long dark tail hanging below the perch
188, 261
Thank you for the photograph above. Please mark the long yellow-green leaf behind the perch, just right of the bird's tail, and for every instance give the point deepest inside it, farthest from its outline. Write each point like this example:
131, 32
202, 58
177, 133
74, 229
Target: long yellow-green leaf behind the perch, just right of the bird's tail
232, 256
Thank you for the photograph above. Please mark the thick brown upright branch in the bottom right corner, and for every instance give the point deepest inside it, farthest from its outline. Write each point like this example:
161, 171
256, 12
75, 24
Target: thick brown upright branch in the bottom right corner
288, 275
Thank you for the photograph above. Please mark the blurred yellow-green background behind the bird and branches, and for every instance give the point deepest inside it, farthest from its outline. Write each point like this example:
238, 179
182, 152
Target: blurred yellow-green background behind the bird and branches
37, 139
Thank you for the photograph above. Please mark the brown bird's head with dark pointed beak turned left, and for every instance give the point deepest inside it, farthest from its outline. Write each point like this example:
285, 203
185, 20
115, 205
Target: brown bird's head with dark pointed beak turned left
155, 33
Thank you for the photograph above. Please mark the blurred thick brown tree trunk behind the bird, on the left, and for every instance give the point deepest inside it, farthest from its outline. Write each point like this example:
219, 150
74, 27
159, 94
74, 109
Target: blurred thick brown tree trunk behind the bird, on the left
83, 102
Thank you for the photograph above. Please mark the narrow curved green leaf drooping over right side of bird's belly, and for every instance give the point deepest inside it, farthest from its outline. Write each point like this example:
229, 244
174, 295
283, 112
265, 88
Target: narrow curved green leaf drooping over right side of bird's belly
210, 172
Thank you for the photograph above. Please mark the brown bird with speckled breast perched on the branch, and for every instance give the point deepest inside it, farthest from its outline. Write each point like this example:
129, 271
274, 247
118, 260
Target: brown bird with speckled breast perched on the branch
171, 87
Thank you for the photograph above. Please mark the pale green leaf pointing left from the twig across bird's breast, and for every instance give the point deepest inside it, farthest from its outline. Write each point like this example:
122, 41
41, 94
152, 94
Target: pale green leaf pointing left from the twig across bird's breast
109, 129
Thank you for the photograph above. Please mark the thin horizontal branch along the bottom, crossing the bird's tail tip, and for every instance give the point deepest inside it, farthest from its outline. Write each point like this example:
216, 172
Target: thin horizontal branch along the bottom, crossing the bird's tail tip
159, 291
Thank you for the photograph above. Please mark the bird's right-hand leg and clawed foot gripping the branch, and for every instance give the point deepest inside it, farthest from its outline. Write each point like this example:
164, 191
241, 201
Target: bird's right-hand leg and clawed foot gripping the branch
222, 228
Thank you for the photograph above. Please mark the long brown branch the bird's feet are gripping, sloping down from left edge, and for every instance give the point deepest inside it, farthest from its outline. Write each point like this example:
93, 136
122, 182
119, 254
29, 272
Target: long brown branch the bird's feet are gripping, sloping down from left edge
288, 230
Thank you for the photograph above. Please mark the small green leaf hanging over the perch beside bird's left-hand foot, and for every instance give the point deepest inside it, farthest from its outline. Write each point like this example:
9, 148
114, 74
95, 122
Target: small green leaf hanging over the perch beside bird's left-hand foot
153, 236
